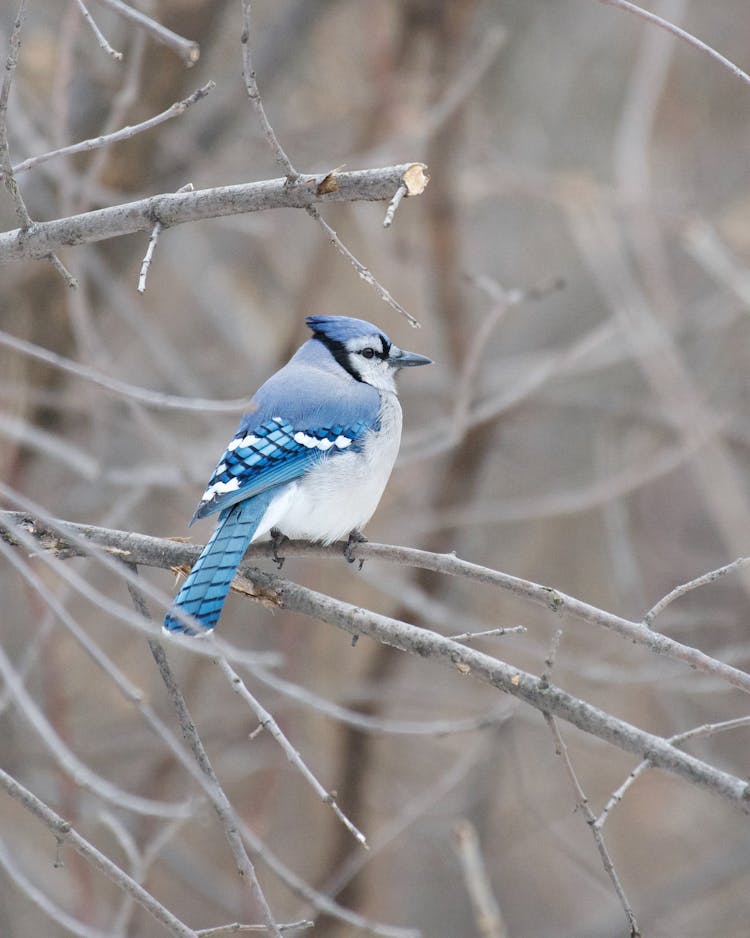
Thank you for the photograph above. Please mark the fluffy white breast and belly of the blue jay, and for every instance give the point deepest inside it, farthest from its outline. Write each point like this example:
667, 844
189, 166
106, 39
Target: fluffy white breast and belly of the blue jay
343, 490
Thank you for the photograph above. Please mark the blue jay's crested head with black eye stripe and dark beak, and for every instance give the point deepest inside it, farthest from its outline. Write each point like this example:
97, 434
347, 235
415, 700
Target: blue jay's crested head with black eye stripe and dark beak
365, 352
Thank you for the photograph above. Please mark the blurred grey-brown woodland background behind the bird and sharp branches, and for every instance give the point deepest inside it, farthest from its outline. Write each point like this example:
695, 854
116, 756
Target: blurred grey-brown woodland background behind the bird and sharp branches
579, 265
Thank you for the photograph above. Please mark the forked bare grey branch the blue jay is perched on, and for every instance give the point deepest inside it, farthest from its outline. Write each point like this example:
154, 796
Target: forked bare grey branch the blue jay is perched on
138, 548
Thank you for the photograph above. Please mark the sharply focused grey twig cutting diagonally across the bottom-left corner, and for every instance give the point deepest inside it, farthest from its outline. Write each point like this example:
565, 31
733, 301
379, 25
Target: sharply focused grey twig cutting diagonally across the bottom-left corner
65, 834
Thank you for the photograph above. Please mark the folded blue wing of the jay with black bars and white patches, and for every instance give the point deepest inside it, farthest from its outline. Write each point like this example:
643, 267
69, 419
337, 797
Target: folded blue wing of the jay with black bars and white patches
287, 434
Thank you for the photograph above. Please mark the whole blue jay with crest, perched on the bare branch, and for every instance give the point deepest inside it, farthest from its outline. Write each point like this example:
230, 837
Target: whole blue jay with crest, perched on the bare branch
310, 459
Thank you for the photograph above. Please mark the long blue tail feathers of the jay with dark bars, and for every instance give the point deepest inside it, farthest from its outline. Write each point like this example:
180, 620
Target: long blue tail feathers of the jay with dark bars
204, 591
